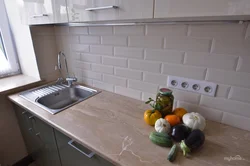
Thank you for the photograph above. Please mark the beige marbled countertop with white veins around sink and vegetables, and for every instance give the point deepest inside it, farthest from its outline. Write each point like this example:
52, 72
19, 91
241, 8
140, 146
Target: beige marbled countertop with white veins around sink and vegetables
112, 126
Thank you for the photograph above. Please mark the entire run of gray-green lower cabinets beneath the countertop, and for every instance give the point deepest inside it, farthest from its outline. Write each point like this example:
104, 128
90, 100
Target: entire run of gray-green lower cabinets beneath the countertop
50, 147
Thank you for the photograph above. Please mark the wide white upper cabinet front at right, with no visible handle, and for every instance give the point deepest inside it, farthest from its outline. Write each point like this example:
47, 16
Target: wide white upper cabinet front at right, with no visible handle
196, 8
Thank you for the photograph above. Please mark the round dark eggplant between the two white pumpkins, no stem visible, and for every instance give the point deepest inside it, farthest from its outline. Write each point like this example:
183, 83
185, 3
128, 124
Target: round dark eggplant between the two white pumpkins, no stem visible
180, 132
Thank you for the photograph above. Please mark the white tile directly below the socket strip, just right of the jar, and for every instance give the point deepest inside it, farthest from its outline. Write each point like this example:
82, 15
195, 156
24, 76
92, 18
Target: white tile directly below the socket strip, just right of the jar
186, 96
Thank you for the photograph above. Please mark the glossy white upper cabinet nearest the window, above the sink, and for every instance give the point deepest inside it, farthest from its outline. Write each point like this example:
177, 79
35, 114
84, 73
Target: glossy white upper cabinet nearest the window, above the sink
43, 11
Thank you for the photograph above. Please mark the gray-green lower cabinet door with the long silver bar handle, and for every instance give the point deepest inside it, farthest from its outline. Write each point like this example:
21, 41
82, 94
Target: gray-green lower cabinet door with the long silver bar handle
73, 154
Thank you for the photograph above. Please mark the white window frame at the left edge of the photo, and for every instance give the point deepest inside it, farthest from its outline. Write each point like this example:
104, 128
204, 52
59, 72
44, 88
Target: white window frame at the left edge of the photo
8, 43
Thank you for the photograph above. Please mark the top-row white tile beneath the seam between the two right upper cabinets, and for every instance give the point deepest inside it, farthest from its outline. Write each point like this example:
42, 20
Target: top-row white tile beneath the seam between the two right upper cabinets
166, 30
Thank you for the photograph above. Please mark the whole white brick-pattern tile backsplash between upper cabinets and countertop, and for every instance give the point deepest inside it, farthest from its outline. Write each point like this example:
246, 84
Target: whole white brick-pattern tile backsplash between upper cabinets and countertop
135, 61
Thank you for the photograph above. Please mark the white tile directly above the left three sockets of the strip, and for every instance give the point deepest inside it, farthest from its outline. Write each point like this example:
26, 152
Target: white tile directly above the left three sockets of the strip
184, 71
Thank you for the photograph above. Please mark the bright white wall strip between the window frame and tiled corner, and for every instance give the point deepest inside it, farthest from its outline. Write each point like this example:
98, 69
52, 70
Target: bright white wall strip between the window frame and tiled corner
23, 41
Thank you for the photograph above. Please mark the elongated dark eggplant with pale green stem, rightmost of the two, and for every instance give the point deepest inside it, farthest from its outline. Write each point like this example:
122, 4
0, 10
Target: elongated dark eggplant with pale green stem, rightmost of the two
194, 141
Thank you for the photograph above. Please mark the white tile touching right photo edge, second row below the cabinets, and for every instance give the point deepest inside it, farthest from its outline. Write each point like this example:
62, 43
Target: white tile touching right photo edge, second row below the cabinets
234, 46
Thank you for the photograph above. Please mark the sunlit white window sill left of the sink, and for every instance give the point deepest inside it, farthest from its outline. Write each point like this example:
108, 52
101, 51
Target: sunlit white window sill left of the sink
13, 82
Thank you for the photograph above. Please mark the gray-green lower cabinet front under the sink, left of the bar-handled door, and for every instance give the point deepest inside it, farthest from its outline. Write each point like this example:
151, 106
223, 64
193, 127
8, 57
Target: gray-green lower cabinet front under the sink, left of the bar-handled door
39, 138
